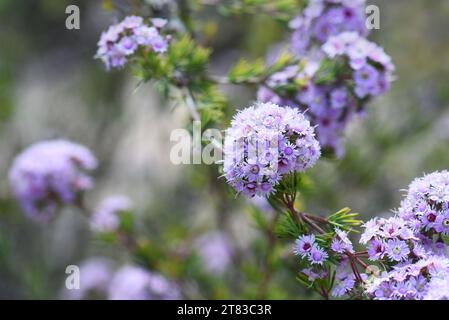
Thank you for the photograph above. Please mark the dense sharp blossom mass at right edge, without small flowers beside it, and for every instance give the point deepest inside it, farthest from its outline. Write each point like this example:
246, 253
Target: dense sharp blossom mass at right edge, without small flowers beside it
412, 244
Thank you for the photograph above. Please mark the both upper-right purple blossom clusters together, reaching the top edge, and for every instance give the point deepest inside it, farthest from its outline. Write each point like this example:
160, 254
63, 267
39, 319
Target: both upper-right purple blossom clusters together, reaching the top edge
330, 37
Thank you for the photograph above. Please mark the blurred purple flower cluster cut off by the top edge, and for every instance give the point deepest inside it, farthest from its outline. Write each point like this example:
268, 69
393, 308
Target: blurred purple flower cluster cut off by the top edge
322, 19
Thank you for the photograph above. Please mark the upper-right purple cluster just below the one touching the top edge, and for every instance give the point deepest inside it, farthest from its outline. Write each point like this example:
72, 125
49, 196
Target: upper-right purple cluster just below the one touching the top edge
366, 73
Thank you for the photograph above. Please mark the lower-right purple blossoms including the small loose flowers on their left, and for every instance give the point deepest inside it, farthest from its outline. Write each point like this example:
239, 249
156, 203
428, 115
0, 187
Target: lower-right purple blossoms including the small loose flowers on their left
410, 248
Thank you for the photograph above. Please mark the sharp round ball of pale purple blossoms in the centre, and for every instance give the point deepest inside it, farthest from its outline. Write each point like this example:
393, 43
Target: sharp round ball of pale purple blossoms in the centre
266, 142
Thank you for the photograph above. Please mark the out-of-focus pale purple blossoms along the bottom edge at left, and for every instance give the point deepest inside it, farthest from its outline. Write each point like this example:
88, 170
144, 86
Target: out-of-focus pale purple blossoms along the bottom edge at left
100, 281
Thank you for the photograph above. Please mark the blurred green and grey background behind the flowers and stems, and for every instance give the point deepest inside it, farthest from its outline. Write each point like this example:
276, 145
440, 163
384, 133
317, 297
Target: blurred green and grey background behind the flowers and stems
51, 86
